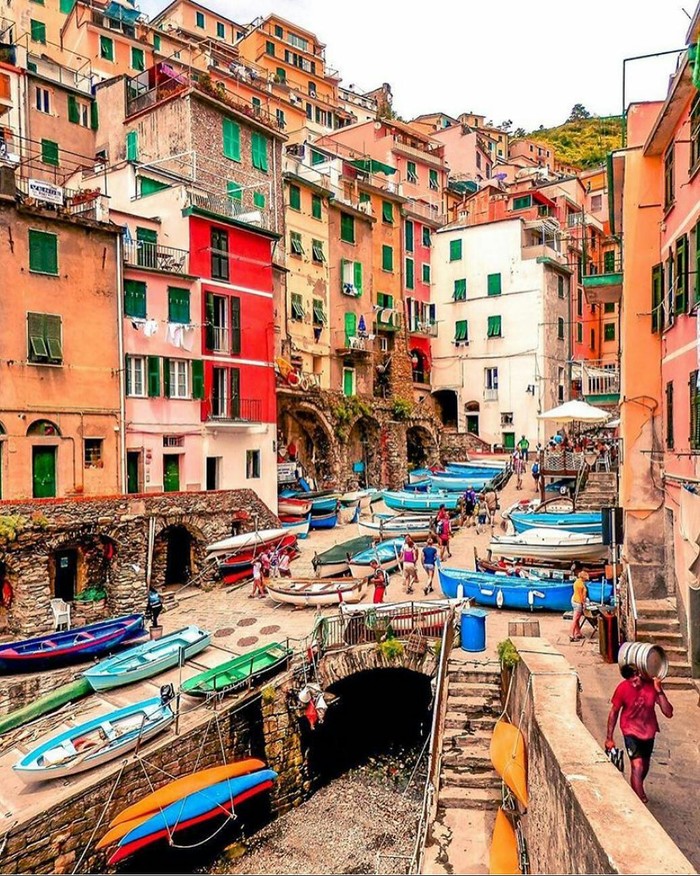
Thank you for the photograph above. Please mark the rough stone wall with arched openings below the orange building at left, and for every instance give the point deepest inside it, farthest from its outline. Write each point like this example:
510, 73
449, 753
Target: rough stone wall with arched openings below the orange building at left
87, 525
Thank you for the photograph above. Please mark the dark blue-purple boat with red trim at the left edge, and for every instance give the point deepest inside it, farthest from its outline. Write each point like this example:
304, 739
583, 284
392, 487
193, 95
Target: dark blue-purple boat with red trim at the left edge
69, 646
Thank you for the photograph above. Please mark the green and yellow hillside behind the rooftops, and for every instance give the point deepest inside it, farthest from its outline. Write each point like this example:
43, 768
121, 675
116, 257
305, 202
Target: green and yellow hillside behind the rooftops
584, 142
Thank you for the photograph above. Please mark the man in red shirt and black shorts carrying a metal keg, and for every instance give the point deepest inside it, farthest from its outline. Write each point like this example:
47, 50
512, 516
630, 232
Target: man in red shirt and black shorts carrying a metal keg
635, 700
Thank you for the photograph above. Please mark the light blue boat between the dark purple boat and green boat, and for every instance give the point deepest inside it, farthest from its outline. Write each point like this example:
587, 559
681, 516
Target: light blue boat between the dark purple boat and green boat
148, 659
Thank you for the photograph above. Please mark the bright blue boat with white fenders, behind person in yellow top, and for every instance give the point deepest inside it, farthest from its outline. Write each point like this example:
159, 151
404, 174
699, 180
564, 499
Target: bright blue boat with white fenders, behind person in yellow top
503, 591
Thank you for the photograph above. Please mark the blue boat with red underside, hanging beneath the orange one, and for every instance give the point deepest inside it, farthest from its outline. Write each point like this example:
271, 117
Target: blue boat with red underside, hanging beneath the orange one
195, 808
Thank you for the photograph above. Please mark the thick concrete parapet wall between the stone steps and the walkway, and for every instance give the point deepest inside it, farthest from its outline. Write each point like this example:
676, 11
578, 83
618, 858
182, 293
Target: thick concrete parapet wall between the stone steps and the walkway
583, 816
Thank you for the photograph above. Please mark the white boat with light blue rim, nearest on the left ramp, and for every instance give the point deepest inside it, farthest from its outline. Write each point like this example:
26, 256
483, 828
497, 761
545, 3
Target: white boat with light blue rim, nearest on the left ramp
95, 742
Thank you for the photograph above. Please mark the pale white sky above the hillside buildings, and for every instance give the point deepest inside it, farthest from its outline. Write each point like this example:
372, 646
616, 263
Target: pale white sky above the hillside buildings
527, 62
